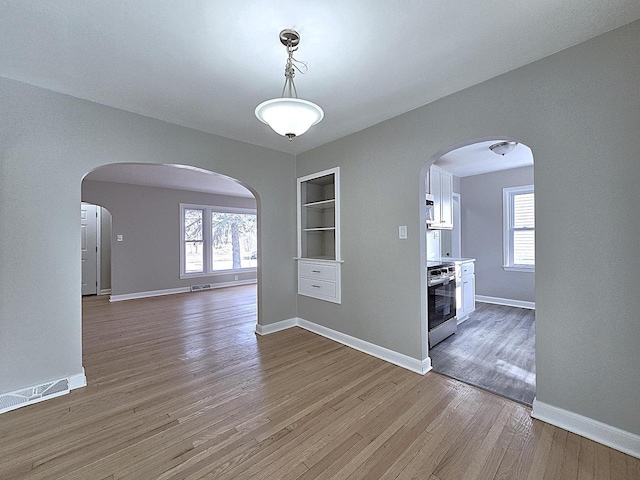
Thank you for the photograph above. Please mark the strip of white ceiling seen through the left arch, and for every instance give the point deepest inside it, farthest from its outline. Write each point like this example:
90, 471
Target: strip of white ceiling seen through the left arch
169, 176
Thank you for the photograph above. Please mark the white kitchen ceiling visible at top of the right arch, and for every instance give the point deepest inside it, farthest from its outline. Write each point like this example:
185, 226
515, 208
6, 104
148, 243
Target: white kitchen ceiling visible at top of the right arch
477, 159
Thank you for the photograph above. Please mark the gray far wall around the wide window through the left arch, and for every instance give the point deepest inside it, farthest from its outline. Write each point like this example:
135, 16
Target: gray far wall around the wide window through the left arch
149, 218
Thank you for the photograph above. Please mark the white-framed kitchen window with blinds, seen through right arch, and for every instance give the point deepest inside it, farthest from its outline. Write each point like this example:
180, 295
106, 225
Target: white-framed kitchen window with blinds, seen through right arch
519, 228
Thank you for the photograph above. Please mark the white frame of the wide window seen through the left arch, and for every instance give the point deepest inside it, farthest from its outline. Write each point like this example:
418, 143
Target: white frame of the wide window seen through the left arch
206, 239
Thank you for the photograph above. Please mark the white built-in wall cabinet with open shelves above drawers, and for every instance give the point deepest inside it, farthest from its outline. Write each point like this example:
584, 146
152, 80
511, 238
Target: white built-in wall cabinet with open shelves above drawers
319, 262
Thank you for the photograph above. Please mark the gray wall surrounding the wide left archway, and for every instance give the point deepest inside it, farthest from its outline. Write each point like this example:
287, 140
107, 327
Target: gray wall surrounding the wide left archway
48, 142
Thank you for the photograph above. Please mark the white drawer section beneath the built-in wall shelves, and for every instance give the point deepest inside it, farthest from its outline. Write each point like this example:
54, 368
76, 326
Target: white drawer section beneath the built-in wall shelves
319, 280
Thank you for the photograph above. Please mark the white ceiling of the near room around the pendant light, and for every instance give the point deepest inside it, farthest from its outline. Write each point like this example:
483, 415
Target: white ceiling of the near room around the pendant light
206, 64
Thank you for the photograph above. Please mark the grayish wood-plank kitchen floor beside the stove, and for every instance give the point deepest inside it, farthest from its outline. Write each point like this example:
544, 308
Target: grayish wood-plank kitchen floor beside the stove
494, 349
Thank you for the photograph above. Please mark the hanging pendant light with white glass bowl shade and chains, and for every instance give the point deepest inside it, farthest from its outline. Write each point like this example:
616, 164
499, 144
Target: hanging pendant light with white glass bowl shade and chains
290, 116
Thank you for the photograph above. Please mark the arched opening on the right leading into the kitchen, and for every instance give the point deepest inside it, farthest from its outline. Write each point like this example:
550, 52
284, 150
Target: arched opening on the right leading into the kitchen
479, 260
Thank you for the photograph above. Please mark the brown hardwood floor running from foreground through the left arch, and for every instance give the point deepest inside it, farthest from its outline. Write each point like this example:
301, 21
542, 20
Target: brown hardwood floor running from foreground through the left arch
181, 388
